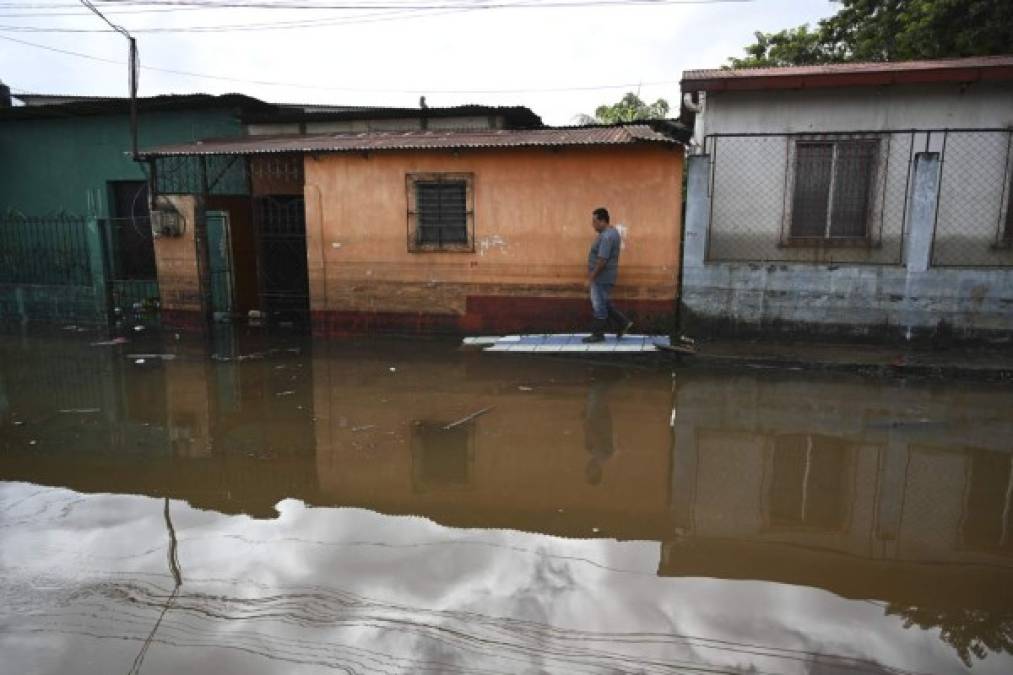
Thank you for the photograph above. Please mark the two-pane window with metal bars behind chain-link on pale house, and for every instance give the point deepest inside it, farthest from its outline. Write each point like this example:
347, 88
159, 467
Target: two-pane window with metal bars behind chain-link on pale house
833, 195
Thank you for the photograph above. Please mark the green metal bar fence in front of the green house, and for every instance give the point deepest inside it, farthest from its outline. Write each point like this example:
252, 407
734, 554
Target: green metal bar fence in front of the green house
49, 251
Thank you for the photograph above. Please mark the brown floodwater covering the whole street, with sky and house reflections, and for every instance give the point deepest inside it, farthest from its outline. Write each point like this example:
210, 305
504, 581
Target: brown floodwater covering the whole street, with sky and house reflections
275, 506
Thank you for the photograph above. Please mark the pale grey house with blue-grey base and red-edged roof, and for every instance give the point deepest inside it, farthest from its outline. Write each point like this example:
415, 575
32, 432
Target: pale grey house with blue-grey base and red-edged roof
859, 200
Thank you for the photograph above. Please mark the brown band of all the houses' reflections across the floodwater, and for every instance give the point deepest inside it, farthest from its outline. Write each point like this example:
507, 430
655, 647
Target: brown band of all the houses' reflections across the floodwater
896, 495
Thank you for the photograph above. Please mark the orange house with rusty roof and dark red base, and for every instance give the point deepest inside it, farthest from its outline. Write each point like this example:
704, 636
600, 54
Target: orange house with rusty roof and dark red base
454, 232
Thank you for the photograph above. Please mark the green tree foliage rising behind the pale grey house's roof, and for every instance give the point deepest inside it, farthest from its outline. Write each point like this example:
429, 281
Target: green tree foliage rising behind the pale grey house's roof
890, 31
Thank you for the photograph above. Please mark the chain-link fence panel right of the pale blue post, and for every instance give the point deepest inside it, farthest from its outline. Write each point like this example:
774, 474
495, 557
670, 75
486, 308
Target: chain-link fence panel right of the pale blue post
974, 220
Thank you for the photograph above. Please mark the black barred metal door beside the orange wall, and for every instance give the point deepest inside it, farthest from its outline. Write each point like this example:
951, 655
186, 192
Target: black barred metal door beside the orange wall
281, 224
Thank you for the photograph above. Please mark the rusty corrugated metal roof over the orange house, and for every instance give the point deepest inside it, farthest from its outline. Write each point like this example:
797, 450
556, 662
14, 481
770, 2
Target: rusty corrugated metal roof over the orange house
666, 133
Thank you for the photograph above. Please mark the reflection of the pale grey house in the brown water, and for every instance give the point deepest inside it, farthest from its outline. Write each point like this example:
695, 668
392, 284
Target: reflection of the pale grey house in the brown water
877, 494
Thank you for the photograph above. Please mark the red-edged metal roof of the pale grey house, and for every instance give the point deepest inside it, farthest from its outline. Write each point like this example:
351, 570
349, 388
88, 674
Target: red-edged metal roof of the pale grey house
851, 74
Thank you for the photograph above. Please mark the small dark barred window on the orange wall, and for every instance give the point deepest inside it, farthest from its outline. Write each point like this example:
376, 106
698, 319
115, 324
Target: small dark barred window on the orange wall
440, 212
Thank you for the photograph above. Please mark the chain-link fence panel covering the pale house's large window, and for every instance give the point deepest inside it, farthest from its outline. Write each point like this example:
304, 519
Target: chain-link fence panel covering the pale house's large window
810, 198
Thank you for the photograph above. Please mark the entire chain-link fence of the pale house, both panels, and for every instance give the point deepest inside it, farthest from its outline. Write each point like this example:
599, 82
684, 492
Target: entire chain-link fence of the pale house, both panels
845, 197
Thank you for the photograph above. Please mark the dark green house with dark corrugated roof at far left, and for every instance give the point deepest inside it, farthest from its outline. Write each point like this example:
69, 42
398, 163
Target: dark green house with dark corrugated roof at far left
74, 219
